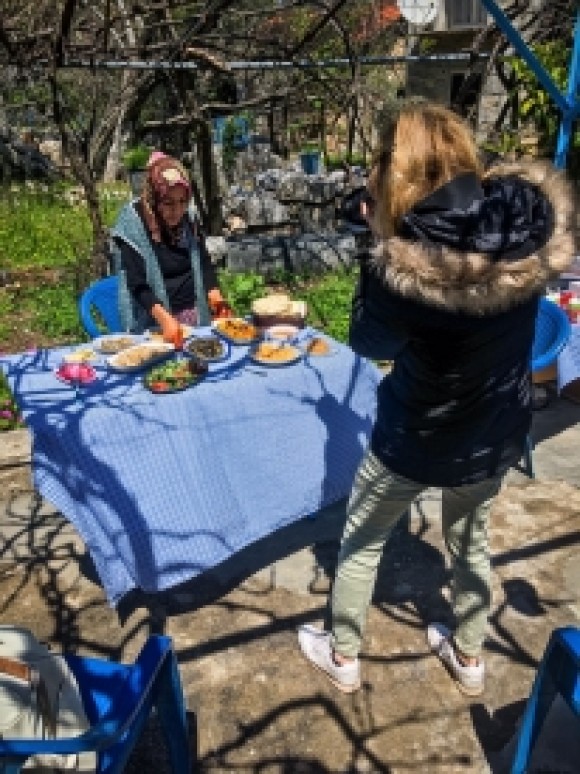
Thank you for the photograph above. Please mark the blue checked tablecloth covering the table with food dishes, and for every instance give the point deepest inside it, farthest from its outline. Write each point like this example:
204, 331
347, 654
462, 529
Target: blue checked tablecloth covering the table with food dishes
164, 487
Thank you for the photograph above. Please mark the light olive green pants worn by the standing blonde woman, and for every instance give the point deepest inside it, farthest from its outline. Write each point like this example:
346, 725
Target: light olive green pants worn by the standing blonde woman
379, 498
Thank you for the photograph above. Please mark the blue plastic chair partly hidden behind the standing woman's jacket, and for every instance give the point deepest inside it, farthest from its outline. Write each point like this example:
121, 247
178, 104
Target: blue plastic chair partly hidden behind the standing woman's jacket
551, 336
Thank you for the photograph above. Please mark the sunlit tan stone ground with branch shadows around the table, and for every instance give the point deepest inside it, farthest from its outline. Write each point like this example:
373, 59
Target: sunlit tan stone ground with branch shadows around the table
257, 707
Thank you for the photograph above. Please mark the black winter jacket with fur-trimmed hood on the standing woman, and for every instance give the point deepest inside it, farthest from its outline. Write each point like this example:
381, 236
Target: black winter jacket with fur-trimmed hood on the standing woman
452, 299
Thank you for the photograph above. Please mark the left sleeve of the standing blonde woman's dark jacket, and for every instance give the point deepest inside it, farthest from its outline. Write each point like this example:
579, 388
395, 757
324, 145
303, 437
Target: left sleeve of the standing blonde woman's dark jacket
375, 331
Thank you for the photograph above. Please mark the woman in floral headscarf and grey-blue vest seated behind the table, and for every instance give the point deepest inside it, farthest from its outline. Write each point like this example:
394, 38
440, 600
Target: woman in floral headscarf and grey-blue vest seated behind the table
165, 271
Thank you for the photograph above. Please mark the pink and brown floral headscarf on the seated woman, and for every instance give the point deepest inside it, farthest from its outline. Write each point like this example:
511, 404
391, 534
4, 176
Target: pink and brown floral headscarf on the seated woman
163, 174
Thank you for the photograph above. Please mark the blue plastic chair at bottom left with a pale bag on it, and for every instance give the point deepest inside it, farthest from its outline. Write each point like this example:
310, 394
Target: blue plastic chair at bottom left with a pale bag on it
118, 699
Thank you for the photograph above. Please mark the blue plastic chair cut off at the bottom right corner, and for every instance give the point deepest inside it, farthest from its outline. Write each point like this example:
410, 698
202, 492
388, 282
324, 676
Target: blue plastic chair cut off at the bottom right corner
558, 673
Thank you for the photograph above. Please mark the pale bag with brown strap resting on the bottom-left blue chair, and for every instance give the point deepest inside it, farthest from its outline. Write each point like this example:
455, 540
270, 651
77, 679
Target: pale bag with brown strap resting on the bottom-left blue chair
39, 698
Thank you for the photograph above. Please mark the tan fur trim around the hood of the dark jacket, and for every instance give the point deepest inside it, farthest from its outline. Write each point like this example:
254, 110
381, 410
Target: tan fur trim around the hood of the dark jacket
479, 282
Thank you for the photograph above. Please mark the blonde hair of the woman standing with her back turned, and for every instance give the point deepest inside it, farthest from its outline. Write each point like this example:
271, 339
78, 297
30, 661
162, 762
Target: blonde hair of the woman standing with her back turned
426, 147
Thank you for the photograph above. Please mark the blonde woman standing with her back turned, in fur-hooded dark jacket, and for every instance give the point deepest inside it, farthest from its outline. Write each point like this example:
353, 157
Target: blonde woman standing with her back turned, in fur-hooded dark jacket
450, 292
